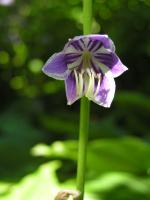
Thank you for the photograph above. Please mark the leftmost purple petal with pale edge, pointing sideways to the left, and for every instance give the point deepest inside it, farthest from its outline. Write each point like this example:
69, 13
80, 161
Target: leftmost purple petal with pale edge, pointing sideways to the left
56, 66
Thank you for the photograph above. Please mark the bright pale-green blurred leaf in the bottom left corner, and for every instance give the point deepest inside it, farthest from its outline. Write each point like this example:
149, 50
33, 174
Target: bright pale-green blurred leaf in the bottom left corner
42, 184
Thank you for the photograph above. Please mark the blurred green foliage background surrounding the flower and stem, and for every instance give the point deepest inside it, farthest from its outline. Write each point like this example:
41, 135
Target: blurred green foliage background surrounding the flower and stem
39, 132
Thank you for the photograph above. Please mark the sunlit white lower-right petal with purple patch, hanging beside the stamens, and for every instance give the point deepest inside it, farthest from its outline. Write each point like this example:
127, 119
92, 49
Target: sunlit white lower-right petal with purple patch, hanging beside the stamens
106, 91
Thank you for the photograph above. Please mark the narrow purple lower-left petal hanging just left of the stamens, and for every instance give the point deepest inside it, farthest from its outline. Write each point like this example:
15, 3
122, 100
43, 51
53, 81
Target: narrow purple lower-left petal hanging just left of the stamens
70, 85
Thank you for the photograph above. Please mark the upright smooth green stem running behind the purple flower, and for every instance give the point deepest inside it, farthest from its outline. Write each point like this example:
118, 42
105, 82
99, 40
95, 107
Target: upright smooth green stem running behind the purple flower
84, 111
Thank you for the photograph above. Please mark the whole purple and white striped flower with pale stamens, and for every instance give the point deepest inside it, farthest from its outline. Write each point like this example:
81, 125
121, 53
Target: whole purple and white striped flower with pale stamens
88, 65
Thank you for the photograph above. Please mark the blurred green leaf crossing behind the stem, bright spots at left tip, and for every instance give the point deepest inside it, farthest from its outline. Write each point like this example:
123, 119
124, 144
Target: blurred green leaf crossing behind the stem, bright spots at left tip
125, 154
